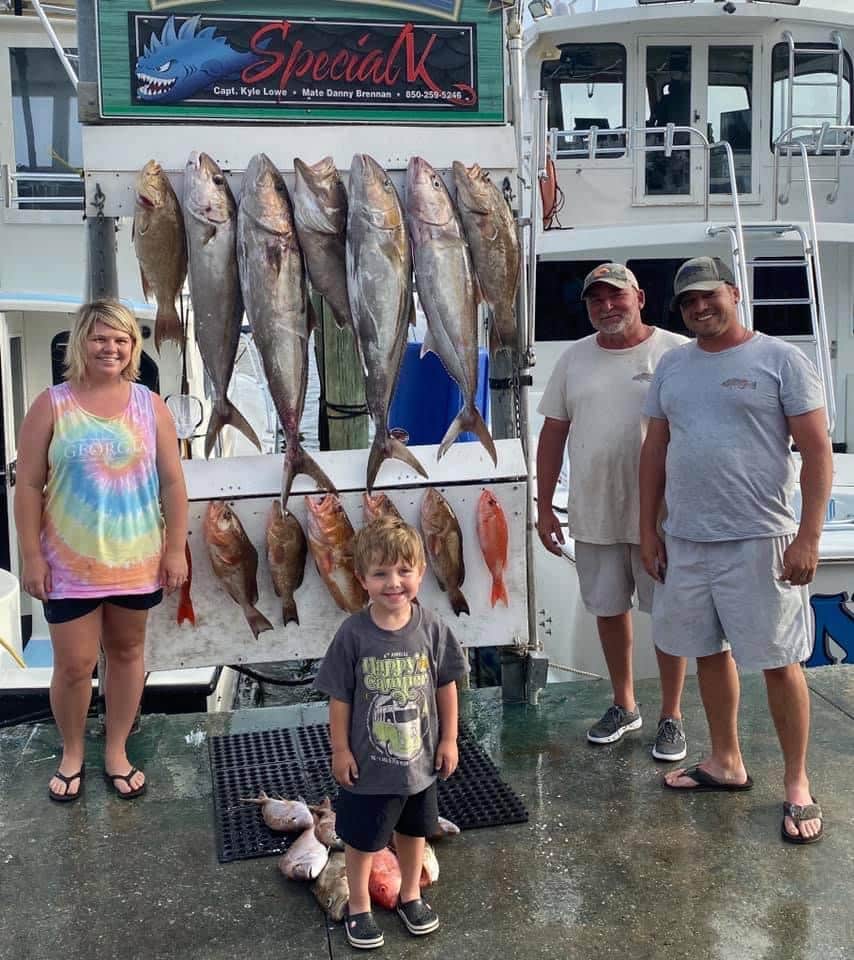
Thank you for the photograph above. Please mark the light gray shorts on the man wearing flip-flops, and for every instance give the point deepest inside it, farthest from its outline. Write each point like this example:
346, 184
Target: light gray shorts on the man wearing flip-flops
730, 589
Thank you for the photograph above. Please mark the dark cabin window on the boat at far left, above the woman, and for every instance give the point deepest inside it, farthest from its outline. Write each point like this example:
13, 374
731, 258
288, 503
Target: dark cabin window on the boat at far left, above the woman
48, 151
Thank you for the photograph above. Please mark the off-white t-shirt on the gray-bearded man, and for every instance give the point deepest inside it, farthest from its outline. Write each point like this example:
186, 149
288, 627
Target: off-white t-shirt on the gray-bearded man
602, 392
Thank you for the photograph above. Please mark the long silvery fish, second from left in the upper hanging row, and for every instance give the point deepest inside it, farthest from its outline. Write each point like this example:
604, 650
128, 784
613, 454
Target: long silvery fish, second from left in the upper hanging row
210, 220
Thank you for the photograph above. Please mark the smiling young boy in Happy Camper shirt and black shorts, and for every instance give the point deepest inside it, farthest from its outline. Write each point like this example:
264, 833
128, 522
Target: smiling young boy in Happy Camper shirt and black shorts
389, 674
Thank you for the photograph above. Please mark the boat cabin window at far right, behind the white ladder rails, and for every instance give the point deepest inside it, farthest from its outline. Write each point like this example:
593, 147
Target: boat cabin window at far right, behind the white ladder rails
819, 91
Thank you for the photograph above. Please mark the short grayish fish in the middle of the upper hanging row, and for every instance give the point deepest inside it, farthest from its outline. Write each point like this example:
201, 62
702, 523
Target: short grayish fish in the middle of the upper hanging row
320, 208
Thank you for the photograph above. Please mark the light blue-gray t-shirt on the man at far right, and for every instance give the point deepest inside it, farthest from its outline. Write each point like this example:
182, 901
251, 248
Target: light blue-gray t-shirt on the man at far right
730, 474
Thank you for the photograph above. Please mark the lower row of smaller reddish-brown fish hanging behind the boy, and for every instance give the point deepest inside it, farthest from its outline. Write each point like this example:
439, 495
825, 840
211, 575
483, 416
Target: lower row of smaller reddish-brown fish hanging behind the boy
234, 558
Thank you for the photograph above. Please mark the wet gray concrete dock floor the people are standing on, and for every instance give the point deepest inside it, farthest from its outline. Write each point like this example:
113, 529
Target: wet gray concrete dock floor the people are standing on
610, 865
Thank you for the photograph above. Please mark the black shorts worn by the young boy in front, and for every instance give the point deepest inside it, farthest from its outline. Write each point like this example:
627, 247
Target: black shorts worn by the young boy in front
365, 821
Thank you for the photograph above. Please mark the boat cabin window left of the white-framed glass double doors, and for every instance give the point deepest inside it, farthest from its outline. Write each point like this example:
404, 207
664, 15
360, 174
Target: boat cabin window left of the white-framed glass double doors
587, 88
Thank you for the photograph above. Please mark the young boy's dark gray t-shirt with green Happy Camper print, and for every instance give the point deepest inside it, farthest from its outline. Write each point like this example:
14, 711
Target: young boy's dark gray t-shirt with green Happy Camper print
390, 679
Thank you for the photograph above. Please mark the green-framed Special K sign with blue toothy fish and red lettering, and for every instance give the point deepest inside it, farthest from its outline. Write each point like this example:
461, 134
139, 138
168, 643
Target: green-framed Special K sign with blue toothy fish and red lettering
203, 62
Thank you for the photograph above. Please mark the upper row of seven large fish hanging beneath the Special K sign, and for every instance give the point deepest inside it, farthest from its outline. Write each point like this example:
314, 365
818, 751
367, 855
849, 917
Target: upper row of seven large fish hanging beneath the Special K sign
358, 248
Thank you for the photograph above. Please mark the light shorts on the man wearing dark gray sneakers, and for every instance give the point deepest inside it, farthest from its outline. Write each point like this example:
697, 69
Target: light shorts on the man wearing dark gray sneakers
608, 574
